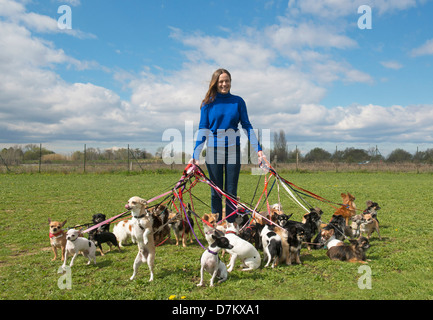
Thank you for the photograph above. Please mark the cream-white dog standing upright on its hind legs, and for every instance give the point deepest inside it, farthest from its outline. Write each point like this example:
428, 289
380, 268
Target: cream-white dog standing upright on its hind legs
143, 232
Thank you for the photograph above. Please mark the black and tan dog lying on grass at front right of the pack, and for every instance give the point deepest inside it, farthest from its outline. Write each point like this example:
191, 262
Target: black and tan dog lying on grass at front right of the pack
353, 252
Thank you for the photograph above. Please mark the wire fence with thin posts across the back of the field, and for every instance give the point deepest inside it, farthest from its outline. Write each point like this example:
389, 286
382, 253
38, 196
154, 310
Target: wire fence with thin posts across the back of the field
92, 160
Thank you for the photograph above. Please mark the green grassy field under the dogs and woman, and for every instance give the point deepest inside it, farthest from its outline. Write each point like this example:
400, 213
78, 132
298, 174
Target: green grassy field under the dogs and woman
401, 263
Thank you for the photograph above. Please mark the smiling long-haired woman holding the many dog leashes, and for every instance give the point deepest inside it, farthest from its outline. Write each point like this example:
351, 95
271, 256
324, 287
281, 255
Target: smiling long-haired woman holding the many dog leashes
220, 114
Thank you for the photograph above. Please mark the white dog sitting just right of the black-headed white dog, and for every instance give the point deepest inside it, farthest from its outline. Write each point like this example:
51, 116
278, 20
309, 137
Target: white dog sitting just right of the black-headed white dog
243, 250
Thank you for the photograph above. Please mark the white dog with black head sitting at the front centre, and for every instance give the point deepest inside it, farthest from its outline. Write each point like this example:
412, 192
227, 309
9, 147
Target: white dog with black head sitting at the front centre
211, 263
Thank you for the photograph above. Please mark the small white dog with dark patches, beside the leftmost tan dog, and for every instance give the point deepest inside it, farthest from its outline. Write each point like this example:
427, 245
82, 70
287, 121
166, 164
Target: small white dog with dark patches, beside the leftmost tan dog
76, 244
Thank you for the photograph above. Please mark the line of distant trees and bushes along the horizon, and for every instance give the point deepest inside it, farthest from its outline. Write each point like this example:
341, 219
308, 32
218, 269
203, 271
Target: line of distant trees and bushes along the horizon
280, 153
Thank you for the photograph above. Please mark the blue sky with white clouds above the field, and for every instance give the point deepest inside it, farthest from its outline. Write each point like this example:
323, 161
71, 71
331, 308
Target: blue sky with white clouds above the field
129, 71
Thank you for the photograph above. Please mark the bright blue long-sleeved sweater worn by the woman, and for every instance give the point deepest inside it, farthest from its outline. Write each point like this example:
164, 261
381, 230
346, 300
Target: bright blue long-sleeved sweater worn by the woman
219, 123
